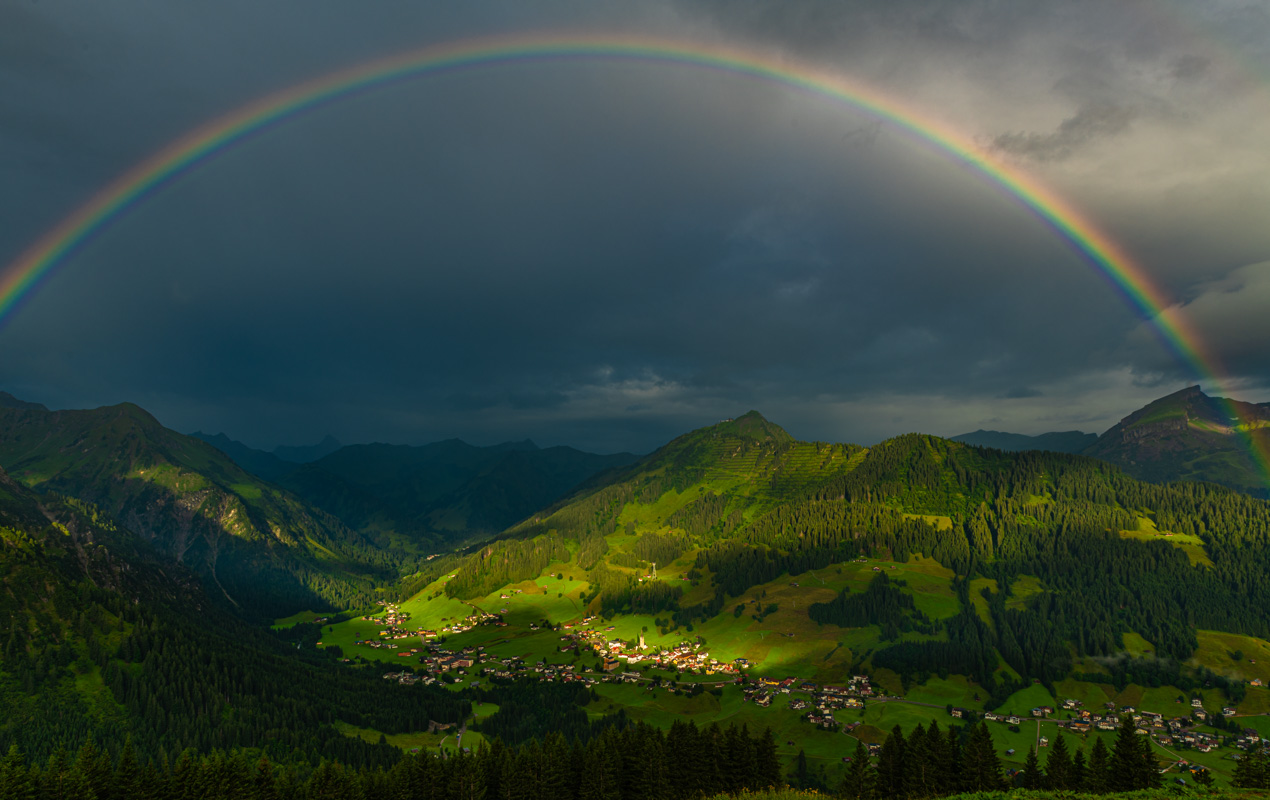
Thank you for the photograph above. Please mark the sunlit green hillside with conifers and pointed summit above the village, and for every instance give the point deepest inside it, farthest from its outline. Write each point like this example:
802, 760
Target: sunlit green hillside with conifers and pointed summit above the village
741, 505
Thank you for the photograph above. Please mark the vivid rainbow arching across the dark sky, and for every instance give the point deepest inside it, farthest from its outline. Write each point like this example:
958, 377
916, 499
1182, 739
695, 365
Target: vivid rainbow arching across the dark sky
26, 274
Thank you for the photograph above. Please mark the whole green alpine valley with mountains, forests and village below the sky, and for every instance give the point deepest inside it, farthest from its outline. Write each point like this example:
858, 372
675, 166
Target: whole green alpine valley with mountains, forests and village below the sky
184, 617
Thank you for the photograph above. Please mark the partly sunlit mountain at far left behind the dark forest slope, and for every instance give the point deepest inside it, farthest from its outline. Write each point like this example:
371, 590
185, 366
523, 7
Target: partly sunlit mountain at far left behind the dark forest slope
264, 552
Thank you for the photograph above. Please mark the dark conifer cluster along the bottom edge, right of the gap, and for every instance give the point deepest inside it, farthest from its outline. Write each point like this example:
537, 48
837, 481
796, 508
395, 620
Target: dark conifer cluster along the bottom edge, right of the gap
933, 764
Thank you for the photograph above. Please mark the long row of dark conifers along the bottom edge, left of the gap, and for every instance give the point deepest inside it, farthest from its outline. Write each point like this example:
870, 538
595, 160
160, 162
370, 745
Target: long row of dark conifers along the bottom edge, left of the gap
637, 763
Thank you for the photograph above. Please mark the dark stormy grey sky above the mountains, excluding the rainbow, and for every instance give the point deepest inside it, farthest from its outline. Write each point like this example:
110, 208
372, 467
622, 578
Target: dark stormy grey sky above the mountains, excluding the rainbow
606, 255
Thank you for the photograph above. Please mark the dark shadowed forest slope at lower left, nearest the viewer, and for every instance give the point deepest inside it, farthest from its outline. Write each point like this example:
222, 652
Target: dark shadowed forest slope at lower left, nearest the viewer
104, 639
